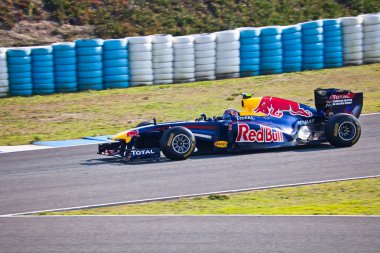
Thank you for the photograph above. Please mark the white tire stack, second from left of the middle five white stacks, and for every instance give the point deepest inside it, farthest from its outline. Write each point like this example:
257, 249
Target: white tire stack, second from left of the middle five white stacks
162, 58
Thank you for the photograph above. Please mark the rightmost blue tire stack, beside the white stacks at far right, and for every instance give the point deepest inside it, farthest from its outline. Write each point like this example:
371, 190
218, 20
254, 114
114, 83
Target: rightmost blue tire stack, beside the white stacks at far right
333, 47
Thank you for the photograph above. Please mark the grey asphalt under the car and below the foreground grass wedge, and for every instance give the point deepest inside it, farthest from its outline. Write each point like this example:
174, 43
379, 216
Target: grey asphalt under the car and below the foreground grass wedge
76, 176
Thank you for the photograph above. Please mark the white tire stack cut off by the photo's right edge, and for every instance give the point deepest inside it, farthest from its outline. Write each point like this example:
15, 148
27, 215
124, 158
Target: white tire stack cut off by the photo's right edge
371, 38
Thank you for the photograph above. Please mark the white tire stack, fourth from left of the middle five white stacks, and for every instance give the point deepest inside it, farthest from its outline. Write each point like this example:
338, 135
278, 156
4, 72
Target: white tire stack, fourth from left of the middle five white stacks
204, 58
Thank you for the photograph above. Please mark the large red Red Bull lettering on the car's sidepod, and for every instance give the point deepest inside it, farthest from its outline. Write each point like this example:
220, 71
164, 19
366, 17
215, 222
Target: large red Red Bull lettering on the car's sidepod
265, 134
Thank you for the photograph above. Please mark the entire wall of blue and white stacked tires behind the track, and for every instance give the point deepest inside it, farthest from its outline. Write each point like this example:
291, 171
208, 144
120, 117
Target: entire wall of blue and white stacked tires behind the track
95, 64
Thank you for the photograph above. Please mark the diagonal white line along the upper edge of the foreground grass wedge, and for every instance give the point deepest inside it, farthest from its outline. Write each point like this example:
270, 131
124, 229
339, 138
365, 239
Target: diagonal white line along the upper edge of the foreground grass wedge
186, 196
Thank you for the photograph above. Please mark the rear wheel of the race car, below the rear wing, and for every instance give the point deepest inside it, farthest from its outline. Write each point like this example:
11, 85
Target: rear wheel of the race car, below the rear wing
342, 130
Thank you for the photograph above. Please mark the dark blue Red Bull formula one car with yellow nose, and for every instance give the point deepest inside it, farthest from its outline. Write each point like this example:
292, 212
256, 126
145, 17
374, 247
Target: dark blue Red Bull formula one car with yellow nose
263, 122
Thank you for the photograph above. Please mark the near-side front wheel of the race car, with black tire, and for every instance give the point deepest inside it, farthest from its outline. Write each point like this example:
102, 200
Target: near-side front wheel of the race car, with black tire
177, 143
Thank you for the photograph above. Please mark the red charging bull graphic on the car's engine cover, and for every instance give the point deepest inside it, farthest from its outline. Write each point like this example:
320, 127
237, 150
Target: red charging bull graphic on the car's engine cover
276, 106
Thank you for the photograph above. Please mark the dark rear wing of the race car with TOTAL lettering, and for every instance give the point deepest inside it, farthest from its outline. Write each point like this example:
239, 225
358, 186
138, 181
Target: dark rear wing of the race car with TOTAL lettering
333, 101
